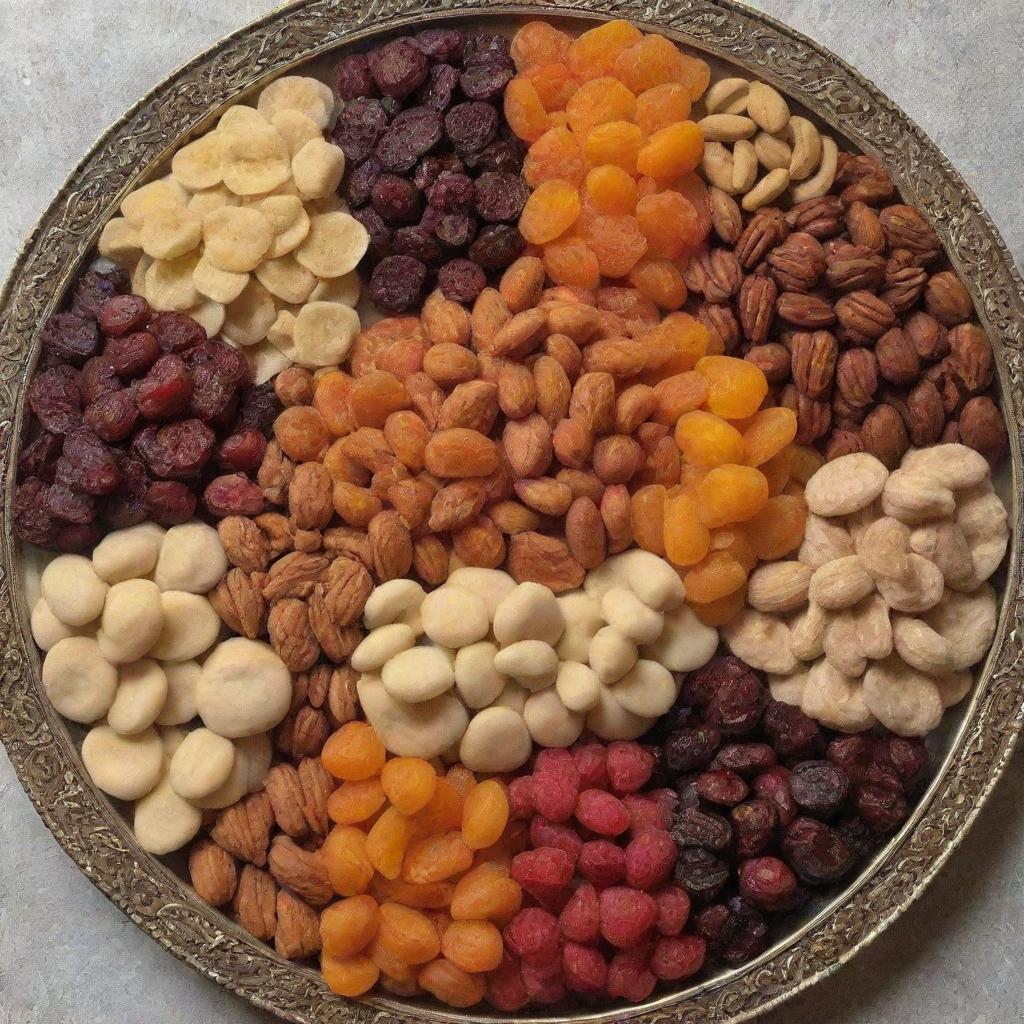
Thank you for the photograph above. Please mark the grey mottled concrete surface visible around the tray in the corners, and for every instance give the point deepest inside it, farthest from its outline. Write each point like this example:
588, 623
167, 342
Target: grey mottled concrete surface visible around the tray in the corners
67, 71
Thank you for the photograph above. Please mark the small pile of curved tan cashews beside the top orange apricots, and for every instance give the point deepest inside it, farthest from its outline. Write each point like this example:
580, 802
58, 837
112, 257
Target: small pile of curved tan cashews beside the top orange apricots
756, 149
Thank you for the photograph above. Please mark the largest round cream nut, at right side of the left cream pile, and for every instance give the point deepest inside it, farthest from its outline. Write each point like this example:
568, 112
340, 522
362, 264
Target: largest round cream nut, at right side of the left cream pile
245, 689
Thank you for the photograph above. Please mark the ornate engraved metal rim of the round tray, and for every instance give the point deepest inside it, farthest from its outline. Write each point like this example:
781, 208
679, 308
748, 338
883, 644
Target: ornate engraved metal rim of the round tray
98, 838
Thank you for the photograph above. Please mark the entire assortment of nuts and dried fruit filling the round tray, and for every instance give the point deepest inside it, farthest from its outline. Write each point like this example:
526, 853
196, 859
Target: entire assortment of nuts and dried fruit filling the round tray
410, 629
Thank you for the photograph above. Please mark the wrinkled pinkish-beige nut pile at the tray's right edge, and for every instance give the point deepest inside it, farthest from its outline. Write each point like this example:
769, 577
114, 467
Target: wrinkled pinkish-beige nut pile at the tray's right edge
887, 608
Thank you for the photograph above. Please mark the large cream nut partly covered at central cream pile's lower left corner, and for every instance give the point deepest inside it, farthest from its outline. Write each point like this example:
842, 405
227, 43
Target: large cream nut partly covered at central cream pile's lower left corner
422, 731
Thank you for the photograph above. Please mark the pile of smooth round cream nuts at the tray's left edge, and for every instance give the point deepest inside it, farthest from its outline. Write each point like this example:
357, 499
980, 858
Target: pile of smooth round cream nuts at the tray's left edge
123, 633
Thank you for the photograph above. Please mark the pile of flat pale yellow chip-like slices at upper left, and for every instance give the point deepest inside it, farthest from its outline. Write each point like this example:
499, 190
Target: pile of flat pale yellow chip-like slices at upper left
248, 236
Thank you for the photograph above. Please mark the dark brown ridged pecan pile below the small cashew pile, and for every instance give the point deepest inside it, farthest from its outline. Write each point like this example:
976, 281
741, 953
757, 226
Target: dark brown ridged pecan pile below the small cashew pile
845, 310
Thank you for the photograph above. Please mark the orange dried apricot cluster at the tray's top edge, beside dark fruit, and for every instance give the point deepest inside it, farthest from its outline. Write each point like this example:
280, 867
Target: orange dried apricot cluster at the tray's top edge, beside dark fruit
613, 156
